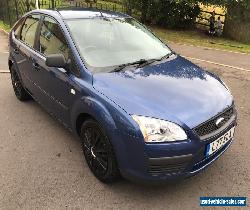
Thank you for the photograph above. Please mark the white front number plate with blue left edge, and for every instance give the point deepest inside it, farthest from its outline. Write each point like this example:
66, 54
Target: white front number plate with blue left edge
220, 142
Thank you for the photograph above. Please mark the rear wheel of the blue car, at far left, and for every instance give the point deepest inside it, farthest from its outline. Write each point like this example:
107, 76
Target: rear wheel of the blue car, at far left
19, 90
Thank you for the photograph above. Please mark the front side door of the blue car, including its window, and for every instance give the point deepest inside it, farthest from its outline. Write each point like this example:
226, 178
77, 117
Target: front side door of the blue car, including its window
56, 83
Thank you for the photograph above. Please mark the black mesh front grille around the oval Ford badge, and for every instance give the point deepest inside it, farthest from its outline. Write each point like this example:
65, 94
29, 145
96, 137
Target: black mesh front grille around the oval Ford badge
210, 126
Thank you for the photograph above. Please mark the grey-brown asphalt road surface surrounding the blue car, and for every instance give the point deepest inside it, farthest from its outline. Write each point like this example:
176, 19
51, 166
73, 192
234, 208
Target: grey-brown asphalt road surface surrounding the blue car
41, 164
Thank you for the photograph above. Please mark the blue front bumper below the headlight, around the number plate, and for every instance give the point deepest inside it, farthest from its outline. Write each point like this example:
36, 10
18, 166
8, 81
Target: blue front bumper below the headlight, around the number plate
172, 161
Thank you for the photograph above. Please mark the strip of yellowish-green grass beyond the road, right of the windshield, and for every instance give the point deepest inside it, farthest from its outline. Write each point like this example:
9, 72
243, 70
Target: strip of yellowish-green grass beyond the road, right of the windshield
198, 38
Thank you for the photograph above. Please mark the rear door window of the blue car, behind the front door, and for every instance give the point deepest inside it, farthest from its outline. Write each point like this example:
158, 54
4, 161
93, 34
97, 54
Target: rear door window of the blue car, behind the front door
29, 28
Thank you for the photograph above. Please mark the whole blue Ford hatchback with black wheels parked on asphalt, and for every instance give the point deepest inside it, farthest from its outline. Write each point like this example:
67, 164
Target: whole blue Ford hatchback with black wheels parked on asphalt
140, 110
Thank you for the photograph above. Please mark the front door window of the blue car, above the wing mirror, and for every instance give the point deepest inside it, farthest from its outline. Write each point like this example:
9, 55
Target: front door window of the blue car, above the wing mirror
52, 40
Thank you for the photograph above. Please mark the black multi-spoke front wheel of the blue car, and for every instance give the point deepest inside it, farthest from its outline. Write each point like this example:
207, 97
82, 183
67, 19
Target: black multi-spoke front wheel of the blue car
98, 152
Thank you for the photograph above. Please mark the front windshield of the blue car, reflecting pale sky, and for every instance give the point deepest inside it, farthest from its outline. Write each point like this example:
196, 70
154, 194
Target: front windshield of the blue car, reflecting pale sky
105, 43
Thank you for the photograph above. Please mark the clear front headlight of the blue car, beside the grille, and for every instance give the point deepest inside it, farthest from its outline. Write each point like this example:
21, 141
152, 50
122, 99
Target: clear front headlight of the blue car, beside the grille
155, 130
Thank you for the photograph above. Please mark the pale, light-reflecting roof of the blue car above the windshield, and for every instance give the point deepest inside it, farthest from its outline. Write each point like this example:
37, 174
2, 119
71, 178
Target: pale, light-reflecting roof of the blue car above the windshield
81, 13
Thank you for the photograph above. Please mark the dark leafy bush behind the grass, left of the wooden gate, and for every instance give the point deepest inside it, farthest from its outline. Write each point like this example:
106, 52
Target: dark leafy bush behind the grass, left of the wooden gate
167, 13
